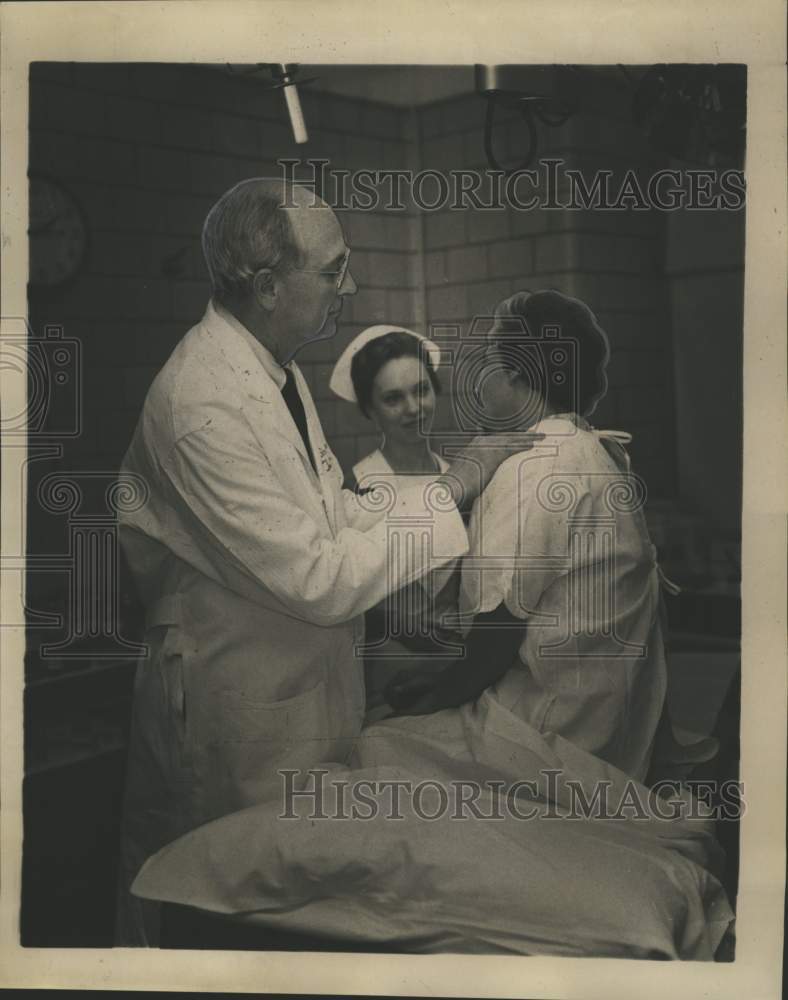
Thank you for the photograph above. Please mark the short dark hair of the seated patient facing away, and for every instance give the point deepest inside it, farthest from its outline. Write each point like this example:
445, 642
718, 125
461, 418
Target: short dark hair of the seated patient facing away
571, 381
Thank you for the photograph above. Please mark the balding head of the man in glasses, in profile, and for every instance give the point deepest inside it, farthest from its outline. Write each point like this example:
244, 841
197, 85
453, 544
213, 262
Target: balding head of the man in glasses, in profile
278, 261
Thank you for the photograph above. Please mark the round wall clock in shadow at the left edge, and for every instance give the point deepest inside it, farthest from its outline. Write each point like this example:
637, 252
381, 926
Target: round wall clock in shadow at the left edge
58, 233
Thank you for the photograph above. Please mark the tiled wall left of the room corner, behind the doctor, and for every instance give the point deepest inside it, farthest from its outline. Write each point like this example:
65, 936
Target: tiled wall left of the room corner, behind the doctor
147, 149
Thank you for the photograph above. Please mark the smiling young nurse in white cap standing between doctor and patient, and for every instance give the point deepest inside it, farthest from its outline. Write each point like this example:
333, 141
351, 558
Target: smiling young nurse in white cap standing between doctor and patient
390, 373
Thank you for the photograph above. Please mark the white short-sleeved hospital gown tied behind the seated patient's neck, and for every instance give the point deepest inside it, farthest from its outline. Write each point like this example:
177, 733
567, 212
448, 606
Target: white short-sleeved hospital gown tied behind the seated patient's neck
560, 538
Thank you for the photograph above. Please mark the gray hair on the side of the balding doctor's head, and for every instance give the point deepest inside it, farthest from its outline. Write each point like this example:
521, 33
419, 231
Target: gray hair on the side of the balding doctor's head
245, 231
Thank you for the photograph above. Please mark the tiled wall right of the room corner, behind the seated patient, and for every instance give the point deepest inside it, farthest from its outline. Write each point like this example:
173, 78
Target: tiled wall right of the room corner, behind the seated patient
612, 260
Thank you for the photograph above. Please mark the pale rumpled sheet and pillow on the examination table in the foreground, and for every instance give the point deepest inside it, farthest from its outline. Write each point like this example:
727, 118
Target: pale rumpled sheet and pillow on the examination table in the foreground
607, 887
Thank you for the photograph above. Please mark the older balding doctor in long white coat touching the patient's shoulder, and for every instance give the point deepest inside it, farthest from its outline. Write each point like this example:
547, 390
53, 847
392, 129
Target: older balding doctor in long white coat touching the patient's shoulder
254, 565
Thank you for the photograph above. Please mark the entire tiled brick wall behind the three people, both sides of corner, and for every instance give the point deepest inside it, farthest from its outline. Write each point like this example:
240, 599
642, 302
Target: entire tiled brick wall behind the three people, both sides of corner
147, 149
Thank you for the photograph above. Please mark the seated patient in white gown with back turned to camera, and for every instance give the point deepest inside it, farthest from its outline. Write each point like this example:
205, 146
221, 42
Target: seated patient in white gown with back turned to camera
561, 580
